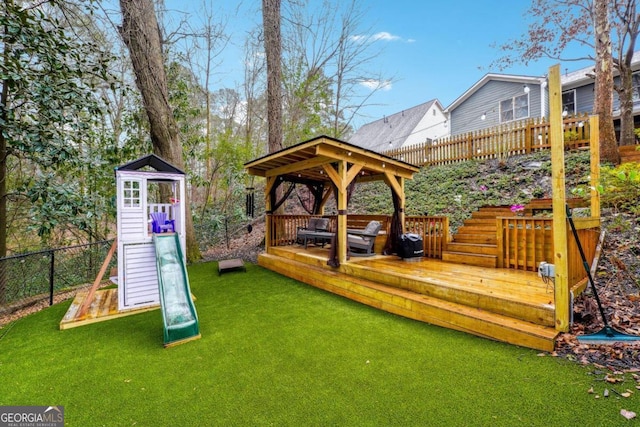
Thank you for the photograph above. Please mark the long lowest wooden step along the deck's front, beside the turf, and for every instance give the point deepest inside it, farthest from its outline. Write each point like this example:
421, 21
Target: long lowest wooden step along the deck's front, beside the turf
417, 306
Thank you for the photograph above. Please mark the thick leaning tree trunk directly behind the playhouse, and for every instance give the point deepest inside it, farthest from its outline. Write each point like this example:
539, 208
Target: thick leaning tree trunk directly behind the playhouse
141, 34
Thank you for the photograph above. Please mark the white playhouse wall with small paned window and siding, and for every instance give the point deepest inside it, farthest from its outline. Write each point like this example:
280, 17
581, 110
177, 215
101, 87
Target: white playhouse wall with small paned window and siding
137, 275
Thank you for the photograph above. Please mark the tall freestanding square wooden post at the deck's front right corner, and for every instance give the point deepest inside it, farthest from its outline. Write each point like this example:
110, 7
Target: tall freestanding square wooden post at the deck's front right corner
561, 288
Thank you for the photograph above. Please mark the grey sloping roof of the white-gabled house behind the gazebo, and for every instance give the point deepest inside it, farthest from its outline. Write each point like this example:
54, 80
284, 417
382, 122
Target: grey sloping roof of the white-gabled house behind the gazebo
391, 131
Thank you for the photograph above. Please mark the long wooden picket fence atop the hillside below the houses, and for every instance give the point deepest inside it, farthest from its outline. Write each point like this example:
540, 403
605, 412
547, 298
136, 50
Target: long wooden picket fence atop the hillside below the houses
500, 142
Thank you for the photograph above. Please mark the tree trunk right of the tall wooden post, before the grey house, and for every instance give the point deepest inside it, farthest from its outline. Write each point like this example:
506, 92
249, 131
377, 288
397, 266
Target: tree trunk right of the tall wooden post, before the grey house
604, 82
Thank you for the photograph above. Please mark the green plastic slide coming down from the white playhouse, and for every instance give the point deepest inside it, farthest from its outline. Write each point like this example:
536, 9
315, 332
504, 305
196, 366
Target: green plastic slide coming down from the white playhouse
178, 312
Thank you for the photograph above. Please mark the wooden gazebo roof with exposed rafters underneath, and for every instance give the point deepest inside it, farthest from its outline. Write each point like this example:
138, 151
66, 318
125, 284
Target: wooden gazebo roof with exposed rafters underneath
310, 160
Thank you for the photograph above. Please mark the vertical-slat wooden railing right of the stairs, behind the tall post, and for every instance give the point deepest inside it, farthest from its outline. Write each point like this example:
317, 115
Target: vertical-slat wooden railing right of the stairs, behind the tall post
524, 242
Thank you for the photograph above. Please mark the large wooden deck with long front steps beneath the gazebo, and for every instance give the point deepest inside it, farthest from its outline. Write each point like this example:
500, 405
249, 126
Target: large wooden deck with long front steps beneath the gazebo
512, 306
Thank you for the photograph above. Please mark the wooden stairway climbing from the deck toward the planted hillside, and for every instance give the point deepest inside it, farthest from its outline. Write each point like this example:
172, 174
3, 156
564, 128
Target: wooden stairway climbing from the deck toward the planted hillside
475, 242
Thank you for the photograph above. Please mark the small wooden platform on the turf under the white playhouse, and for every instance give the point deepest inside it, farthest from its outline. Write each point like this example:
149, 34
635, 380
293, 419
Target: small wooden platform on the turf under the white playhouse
103, 307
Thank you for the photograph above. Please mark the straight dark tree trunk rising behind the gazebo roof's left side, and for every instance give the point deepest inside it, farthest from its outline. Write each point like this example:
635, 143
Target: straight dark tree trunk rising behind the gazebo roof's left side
273, 50
